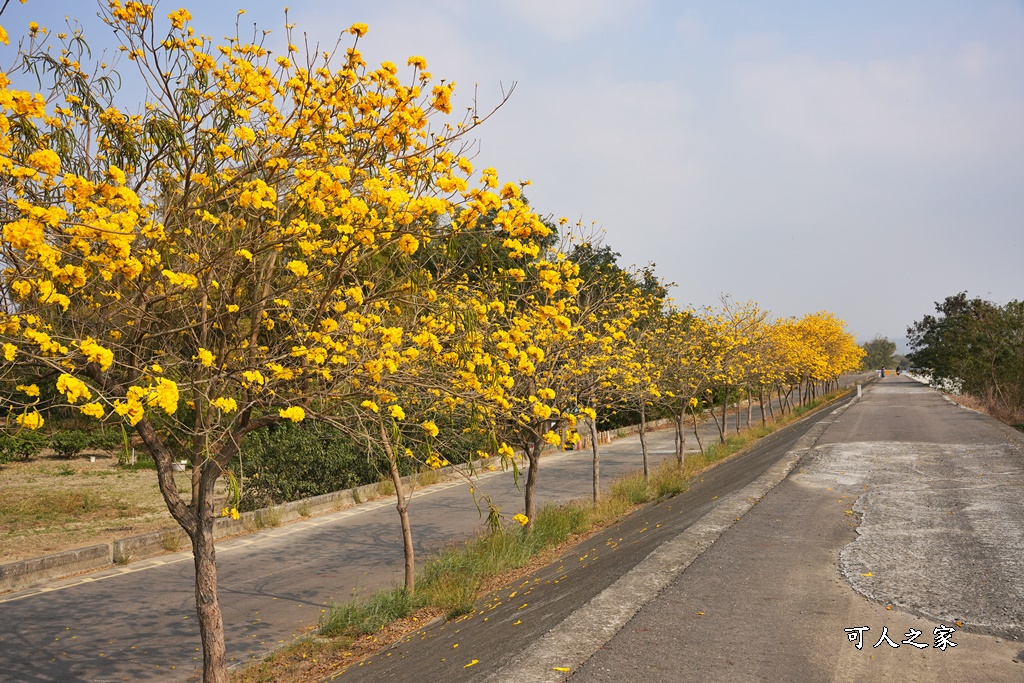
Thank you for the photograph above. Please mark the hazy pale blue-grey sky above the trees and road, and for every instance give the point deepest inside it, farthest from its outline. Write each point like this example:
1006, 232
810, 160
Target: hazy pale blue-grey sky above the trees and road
866, 158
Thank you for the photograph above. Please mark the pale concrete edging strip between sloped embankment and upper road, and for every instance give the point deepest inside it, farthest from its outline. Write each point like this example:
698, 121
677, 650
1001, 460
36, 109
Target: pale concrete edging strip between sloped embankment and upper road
565, 649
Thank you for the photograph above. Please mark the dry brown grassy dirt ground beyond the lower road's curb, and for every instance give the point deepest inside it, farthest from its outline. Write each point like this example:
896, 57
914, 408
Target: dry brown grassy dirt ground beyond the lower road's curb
52, 504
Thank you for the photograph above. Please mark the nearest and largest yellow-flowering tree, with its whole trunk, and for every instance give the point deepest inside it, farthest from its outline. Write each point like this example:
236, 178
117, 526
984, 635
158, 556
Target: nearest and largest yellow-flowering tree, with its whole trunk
232, 253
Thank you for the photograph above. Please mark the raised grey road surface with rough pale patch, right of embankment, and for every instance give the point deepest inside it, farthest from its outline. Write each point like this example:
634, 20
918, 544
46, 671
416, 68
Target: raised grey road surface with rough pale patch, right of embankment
906, 516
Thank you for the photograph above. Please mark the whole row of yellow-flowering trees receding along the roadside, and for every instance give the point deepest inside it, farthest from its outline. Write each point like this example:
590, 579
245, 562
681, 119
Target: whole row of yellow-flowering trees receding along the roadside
280, 238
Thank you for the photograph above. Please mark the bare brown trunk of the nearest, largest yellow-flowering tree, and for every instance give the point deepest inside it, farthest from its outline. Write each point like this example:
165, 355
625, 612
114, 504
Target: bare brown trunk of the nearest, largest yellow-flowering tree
211, 624
